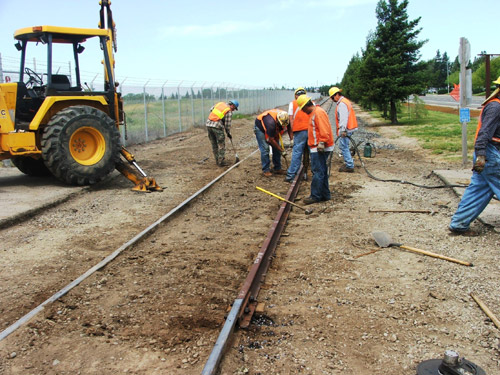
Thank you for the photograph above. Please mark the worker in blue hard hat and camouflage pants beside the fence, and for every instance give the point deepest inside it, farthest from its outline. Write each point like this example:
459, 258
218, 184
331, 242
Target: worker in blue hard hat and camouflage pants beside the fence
219, 120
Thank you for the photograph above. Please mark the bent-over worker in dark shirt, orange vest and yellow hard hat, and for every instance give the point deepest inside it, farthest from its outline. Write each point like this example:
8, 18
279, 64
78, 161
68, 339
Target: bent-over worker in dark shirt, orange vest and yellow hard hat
269, 127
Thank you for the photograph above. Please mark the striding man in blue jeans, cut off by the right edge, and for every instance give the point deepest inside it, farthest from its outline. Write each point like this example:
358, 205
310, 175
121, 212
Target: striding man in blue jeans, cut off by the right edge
485, 180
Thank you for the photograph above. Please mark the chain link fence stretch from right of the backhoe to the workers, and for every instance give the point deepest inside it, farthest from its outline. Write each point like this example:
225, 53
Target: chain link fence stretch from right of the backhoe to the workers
159, 111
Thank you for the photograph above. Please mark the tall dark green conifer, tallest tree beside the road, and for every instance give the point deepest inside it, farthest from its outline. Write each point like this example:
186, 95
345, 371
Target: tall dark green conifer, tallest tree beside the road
391, 61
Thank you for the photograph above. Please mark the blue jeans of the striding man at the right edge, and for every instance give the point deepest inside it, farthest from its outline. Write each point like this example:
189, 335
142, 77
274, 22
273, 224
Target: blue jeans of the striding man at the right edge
478, 194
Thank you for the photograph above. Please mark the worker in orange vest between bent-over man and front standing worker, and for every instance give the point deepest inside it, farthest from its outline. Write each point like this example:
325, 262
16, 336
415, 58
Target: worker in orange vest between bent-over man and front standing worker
299, 123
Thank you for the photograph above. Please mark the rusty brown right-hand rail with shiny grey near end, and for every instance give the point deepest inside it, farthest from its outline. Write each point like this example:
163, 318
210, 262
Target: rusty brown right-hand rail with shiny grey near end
245, 303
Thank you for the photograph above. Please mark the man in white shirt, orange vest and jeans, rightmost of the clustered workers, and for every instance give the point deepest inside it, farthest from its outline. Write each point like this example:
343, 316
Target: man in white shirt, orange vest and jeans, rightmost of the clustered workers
345, 119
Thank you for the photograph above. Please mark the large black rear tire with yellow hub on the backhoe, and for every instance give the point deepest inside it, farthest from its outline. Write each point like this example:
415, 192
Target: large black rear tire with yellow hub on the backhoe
81, 145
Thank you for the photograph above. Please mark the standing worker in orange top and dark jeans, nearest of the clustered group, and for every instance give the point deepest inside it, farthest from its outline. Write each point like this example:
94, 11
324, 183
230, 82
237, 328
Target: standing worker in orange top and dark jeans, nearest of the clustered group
320, 142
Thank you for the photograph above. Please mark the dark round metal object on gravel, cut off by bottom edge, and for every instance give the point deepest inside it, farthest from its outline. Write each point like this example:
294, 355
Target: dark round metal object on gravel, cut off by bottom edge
451, 364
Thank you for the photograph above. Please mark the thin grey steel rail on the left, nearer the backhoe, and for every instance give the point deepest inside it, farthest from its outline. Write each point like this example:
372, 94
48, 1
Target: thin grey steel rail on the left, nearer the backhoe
10, 329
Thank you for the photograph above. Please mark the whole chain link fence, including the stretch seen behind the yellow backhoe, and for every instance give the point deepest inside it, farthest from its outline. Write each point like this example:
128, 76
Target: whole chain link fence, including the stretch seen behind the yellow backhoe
154, 108
